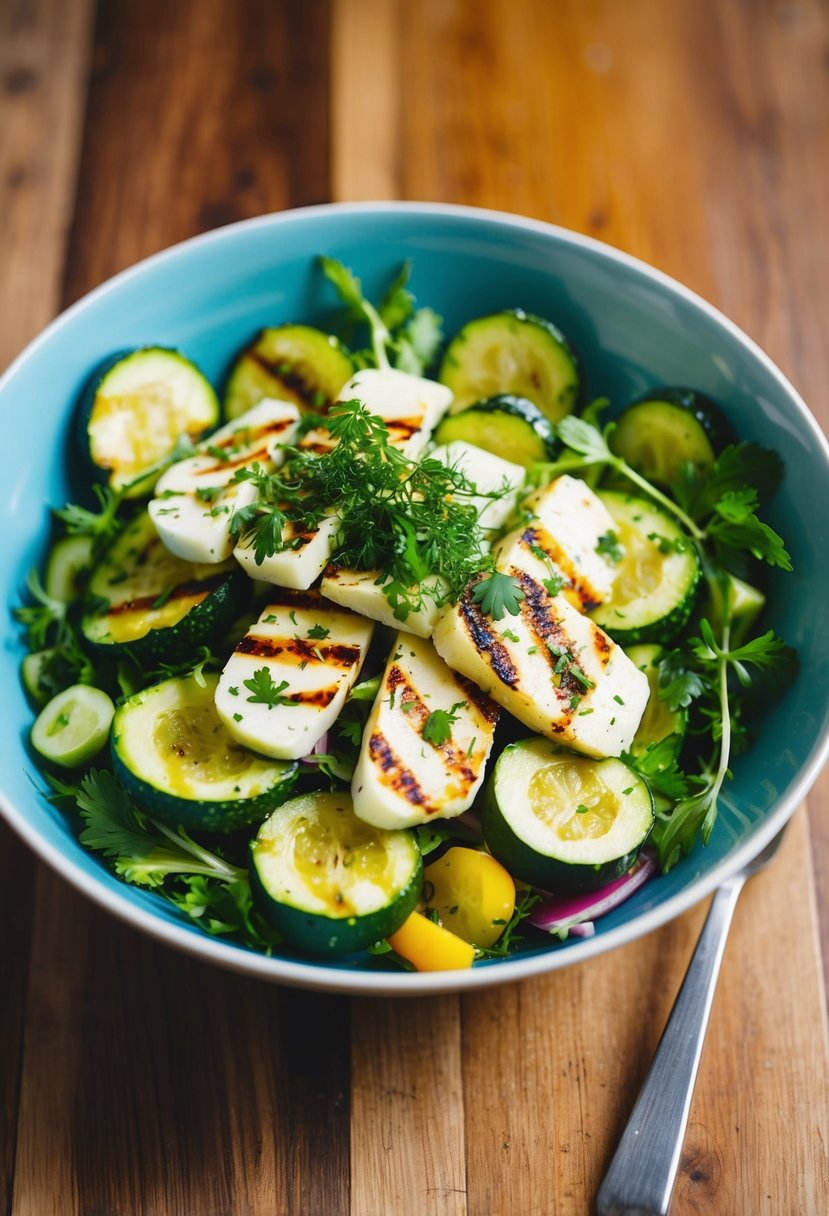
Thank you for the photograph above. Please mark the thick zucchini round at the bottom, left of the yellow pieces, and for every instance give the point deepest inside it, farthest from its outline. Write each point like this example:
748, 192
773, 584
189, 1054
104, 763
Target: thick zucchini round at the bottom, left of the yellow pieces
280, 892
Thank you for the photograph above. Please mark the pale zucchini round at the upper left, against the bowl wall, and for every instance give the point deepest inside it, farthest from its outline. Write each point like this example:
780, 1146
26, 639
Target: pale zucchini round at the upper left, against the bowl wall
137, 409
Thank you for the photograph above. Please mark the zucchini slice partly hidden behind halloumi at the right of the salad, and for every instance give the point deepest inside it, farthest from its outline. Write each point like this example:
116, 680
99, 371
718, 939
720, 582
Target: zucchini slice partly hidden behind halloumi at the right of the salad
656, 586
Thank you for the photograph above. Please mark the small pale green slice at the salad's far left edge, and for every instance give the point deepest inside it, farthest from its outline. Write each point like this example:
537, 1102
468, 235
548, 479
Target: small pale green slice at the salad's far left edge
74, 727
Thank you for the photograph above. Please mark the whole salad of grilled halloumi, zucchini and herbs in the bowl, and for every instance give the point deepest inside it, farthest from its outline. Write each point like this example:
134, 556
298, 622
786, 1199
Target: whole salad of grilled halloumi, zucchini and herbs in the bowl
402, 648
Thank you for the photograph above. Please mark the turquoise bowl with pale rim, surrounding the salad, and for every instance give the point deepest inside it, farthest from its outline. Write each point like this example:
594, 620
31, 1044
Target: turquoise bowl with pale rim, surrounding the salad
634, 329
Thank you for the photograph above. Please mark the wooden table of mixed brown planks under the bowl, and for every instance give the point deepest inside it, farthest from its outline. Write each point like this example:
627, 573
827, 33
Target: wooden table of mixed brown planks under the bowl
692, 134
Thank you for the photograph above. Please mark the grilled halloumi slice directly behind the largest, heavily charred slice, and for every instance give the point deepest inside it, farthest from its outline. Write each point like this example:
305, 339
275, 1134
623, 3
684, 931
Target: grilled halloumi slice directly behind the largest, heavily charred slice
567, 522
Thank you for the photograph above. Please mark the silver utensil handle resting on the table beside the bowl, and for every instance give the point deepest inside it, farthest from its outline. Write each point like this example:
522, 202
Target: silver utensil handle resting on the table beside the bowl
641, 1176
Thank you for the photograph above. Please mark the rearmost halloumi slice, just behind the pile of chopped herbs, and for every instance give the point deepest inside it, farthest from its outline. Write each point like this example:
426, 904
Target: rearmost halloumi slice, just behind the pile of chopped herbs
411, 408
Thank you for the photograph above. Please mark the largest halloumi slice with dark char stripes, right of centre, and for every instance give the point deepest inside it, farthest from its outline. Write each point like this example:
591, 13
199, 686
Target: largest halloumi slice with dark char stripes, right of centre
551, 667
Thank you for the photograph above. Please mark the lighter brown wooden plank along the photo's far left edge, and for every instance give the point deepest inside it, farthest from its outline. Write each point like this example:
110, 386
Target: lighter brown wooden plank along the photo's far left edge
44, 49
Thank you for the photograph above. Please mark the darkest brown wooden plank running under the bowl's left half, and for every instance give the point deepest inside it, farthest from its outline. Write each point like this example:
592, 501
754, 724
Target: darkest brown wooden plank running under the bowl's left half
151, 1083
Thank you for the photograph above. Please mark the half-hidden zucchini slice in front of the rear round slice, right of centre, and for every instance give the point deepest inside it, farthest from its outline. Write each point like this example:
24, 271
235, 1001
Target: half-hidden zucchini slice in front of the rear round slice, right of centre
511, 427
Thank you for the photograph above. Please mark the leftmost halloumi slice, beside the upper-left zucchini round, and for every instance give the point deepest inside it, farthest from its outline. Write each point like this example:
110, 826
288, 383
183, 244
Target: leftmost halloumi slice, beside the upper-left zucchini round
195, 499
